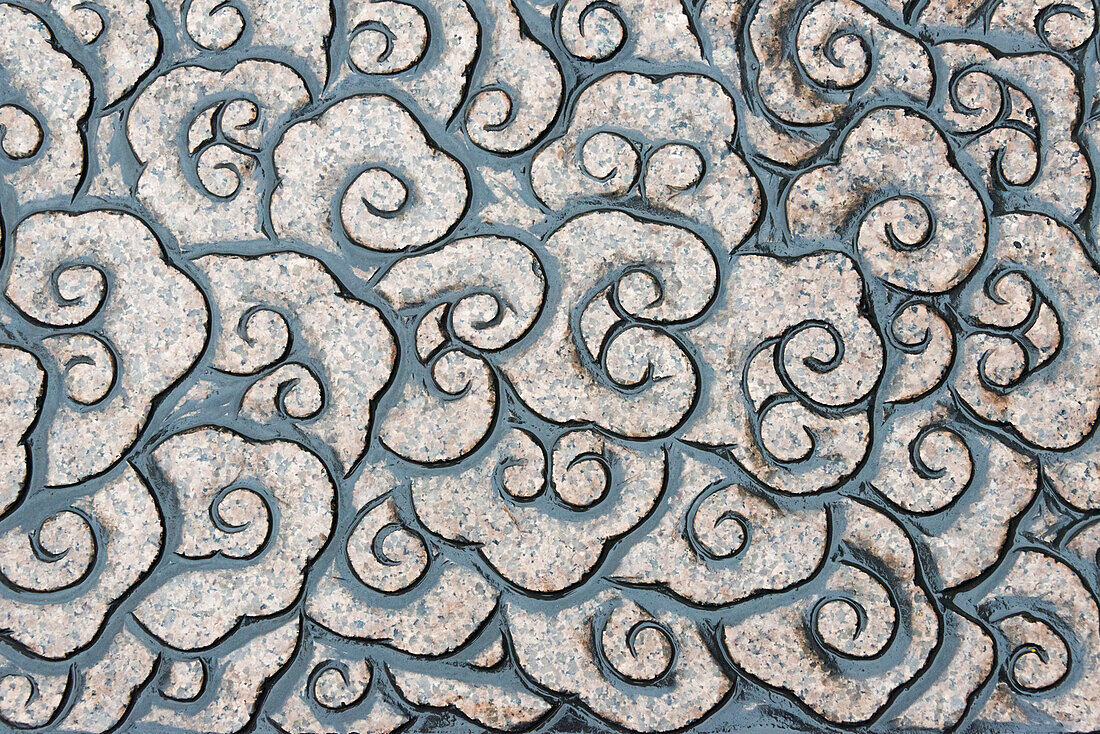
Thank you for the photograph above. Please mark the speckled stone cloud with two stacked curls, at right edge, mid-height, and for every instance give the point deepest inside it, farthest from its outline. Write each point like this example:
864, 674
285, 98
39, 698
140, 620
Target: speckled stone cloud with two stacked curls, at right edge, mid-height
1032, 359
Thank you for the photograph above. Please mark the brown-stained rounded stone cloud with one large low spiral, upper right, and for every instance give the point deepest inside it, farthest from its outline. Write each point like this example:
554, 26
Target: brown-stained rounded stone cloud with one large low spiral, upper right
922, 226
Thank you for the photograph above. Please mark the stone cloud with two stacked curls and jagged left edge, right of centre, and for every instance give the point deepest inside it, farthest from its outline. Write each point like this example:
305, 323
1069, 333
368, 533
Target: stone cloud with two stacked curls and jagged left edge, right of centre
797, 363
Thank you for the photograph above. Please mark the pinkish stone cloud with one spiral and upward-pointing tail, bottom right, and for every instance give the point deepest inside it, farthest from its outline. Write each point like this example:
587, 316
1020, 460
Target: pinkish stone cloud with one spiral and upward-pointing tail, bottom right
845, 643
